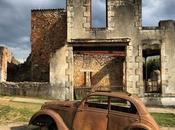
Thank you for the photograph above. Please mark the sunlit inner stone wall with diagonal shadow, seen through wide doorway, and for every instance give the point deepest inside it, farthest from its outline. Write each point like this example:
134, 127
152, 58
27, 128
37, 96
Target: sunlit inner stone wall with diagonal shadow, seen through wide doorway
104, 70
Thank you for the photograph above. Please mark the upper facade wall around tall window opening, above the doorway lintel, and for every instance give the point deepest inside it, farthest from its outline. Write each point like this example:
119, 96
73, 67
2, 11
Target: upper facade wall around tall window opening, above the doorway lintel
124, 17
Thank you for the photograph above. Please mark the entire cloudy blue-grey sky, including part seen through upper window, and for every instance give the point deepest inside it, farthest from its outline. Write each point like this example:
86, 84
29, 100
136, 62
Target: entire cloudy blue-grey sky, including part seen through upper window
15, 19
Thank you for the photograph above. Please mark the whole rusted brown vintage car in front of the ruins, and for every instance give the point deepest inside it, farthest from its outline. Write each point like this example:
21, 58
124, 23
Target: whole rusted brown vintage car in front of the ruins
97, 111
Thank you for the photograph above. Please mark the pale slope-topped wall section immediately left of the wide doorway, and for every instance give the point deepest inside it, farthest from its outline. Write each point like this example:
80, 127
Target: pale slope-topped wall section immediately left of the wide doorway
61, 74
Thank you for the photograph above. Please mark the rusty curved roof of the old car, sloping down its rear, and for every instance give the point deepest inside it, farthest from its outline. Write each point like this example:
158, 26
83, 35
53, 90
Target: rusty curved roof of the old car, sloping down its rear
125, 95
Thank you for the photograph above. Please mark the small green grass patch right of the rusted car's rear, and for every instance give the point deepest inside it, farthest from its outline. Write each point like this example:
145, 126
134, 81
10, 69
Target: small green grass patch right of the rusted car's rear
164, 119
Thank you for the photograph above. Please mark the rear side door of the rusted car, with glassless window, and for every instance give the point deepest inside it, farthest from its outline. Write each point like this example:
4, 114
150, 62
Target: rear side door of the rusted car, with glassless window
122, 114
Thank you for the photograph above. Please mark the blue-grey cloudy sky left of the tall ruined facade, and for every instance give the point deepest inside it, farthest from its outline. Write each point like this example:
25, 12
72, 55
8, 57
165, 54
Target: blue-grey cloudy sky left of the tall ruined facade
15, 23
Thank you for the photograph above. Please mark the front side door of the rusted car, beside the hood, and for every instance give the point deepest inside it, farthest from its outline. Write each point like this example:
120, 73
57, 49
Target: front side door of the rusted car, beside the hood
92, 114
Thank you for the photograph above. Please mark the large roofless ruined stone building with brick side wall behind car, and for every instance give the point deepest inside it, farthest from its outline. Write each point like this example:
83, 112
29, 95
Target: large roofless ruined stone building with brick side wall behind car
69, 52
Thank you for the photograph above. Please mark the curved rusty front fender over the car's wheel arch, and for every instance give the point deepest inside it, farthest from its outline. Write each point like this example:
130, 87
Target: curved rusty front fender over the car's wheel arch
55, 116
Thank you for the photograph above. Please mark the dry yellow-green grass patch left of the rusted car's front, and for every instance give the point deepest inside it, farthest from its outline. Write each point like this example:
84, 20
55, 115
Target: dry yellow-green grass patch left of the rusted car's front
17, 112
